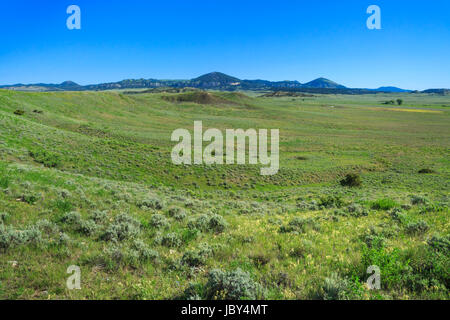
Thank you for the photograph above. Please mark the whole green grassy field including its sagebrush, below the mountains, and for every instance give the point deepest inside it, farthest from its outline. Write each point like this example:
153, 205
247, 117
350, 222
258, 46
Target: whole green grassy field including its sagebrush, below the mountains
86, 179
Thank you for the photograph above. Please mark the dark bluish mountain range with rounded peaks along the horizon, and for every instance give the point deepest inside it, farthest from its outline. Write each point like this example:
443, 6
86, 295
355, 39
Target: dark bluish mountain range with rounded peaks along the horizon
217, 81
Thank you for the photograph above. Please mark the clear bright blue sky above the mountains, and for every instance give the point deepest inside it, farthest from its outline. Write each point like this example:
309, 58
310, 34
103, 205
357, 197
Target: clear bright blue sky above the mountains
273, 40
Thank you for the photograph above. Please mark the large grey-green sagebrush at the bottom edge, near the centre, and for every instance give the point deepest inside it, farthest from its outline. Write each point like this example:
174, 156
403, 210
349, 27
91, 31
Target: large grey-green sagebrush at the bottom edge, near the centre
232, 285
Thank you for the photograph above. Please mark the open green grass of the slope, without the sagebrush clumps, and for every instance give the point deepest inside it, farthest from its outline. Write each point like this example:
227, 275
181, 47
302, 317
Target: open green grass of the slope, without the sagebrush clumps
114, 151
